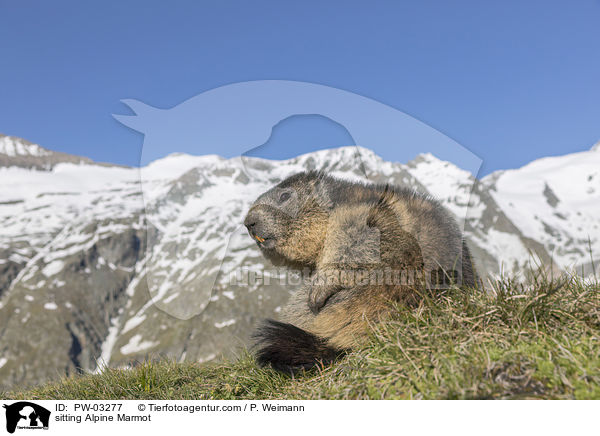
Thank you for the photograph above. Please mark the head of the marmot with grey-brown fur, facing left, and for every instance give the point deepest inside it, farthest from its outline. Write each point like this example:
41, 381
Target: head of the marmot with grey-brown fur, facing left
289, 222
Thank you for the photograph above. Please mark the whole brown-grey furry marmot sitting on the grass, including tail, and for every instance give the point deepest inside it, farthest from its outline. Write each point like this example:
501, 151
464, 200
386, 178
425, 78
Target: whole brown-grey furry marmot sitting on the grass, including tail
364, 245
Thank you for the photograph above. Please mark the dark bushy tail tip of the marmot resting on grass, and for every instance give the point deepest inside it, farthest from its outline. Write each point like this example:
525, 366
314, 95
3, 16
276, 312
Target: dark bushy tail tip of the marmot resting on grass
290, 349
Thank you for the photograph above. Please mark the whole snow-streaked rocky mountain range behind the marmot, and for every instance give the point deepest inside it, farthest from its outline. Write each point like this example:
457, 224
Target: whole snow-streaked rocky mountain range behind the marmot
106, 264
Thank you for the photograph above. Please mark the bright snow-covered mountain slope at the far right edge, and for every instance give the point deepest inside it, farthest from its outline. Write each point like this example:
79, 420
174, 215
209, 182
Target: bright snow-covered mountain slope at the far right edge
556, 202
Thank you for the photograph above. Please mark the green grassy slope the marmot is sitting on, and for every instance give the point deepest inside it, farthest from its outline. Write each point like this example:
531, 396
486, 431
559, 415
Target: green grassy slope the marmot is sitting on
538, 342
